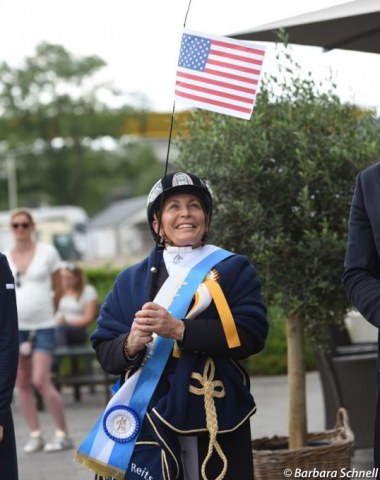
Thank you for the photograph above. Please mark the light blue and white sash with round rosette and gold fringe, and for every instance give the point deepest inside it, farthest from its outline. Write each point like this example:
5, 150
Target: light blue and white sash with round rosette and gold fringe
109, 446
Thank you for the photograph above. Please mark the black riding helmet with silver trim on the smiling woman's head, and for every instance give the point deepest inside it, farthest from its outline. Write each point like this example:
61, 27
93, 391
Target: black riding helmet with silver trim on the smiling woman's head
173, 184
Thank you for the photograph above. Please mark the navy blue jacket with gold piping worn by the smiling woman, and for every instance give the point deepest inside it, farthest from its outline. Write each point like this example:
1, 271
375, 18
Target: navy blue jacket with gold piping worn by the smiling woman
173, 409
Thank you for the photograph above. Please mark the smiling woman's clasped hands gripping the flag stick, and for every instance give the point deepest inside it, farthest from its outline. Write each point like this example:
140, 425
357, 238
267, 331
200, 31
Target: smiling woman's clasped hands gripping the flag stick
154, 318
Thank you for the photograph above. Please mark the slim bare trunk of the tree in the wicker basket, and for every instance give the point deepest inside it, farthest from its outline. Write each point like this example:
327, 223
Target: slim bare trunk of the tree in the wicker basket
296, 382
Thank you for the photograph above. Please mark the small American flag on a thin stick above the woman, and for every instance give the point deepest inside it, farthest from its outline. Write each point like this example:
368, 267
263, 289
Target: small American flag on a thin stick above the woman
218, 73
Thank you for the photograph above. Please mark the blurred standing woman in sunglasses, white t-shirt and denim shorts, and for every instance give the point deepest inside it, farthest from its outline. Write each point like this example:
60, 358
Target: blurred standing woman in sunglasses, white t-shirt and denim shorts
35, 267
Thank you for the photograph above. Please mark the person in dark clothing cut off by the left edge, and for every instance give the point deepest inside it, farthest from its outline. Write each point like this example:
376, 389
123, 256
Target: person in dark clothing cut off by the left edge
8, 370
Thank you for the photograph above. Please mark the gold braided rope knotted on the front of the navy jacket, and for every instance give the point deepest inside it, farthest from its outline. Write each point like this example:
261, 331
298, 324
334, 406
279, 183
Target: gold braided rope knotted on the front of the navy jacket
210, 388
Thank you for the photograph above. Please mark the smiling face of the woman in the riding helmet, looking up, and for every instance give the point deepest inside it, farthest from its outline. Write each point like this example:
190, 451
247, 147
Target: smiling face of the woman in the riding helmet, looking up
183, 221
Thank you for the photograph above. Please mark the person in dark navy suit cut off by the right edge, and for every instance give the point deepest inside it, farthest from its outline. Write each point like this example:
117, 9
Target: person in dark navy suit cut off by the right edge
361, 276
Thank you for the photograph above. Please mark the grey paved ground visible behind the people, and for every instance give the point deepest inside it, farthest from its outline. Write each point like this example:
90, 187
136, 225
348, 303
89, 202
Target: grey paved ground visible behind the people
271, 419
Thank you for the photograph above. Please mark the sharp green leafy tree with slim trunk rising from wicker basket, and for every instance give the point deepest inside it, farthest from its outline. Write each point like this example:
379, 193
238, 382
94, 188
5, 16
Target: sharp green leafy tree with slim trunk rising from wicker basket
282, 185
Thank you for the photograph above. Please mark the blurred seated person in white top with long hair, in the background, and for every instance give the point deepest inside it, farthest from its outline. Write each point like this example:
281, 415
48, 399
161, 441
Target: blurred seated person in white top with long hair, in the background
77, 307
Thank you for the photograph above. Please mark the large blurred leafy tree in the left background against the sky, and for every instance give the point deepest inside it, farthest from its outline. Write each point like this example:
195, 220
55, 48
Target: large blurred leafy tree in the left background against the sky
53, 120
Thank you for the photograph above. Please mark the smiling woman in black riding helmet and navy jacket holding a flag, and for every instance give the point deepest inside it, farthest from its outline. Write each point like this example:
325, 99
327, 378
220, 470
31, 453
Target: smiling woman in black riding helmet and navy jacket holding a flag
178, 418
